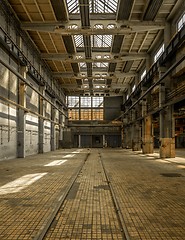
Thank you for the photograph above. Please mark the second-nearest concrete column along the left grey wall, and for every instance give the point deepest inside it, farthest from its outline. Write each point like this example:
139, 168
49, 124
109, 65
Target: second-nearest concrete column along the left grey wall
41, 121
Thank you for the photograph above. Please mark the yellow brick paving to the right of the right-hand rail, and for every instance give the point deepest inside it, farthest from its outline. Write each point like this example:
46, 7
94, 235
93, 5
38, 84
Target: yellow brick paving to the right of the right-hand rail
153, 206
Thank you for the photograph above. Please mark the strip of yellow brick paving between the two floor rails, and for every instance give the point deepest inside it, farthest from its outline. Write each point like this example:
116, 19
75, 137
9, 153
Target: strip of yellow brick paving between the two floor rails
88, 212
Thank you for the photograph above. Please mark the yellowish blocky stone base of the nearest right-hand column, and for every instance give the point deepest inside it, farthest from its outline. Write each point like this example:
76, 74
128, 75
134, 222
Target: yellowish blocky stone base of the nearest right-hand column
167, 148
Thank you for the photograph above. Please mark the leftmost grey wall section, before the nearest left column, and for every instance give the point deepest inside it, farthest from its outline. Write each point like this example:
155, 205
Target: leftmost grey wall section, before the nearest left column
8, 112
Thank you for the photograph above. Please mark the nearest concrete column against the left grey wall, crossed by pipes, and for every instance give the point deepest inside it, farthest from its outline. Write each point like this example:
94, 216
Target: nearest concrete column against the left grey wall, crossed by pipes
21, 116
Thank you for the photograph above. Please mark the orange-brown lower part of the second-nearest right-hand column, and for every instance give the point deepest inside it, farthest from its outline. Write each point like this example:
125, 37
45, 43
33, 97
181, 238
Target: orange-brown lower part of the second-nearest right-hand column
147, 135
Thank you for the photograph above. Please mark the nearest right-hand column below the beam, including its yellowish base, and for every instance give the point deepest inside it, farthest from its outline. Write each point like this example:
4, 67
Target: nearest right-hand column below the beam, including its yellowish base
167, 133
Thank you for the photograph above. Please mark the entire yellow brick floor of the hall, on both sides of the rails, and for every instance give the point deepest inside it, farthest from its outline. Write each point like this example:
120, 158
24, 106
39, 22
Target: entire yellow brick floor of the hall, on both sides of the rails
150, 193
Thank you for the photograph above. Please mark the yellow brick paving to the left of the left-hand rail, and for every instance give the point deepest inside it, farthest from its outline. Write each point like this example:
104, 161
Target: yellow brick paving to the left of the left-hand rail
22, 214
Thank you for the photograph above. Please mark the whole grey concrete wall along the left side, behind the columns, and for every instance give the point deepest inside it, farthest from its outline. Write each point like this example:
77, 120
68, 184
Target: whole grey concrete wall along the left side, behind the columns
9, 96
